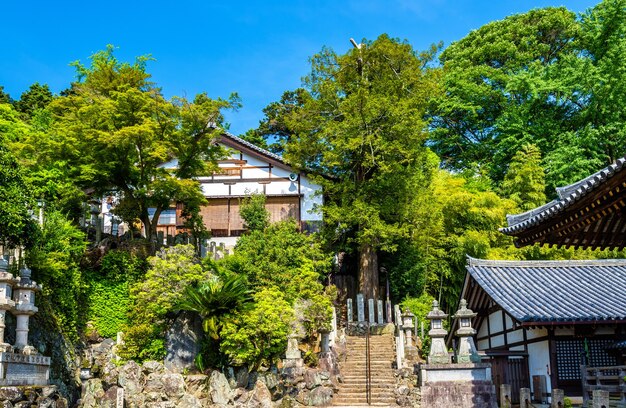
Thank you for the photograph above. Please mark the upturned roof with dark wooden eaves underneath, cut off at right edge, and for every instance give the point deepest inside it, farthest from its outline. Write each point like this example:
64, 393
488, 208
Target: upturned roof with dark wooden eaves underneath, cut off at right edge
586, 213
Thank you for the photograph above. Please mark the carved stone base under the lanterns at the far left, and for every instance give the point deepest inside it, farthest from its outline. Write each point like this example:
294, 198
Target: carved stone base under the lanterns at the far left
20, 369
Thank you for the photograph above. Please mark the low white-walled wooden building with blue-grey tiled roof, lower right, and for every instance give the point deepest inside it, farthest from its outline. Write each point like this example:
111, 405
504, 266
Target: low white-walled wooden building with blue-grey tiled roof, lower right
538, 321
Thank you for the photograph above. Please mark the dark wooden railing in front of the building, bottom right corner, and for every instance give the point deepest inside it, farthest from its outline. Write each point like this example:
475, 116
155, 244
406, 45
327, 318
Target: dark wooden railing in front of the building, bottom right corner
611, 379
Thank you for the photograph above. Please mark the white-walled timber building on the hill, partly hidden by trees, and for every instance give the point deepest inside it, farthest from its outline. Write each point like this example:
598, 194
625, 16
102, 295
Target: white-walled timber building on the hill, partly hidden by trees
250, 169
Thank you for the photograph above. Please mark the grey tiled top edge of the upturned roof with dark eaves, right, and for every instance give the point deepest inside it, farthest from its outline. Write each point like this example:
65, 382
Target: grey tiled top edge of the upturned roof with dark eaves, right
568, 195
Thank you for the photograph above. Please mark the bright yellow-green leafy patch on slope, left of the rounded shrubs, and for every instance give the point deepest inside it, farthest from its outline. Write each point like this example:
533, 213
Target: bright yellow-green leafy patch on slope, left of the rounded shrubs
108, 304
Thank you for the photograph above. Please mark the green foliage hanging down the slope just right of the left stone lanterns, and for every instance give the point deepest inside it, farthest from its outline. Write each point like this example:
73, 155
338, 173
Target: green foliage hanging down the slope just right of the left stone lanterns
55, 261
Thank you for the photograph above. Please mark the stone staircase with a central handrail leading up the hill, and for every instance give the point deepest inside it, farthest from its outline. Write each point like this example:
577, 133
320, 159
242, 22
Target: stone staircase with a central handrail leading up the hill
352, 389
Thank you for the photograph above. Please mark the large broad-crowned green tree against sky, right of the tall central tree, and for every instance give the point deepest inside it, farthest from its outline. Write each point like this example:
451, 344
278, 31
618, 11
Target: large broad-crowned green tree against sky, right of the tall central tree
505, 86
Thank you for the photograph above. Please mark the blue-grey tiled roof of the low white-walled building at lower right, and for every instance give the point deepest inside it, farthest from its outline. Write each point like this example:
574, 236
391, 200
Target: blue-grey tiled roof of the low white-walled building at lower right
555, 291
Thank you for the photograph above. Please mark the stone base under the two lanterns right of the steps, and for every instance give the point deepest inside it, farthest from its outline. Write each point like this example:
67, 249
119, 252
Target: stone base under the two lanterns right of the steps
475, 394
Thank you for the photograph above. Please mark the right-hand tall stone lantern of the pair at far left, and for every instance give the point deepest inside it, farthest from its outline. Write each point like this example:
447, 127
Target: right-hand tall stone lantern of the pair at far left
24, 296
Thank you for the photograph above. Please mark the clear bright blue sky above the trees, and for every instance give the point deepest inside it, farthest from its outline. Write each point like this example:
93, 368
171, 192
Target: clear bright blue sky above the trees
257, 49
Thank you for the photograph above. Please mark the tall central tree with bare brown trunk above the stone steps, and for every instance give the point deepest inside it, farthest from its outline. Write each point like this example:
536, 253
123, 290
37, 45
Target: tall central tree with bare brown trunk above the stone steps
361, 125
